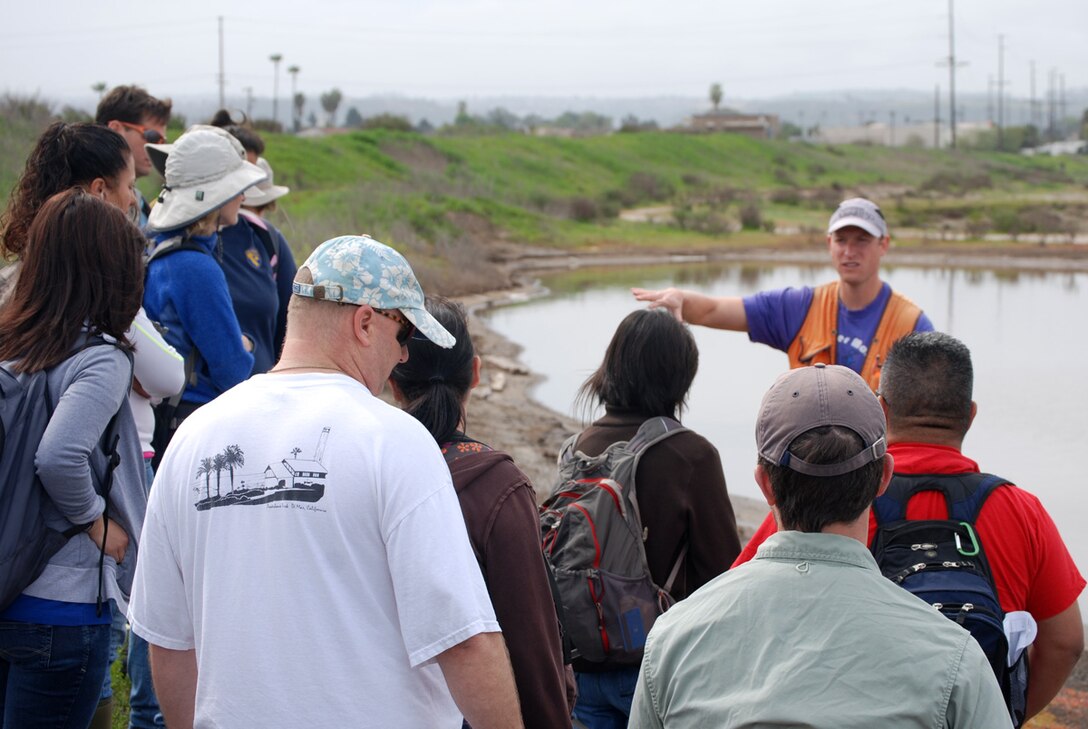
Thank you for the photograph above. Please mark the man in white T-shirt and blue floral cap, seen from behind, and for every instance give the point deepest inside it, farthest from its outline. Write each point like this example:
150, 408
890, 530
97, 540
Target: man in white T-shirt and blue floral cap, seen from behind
305, 562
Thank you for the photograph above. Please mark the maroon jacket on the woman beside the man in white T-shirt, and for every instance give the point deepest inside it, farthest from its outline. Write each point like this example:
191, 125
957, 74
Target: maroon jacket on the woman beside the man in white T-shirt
501, 515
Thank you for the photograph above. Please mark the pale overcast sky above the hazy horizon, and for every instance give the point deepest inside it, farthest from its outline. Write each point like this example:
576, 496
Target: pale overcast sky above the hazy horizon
472, 48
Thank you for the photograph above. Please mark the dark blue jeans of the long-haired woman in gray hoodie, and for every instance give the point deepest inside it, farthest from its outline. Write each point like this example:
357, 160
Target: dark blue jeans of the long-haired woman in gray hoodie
52, 676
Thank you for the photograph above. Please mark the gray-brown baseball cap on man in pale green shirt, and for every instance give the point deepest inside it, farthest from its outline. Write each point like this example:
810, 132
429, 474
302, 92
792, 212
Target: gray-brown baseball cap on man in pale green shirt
812, 398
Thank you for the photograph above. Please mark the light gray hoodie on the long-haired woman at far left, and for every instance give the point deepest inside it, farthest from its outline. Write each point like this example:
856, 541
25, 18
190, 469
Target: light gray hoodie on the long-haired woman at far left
86, 390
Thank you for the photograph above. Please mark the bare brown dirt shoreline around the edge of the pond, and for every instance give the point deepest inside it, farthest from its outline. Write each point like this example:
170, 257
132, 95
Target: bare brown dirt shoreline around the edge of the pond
504, 414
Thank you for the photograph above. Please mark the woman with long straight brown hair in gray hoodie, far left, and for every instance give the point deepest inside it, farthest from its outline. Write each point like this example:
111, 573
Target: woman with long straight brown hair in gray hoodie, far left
76, 298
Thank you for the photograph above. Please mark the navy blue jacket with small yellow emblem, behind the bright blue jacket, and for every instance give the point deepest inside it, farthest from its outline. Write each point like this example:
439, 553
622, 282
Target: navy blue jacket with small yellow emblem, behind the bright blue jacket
259, 295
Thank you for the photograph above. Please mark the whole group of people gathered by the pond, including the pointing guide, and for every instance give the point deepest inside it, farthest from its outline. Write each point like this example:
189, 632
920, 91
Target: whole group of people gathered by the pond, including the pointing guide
286, 548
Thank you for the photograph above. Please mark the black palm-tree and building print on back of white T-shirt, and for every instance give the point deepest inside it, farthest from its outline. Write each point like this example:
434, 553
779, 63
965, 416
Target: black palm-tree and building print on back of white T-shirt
221, 483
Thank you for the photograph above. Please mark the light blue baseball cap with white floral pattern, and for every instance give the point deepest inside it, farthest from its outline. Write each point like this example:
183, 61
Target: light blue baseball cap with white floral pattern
356, 269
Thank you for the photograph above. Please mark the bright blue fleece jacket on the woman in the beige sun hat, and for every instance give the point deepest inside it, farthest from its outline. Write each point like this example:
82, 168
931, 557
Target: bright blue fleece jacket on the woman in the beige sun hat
187, 292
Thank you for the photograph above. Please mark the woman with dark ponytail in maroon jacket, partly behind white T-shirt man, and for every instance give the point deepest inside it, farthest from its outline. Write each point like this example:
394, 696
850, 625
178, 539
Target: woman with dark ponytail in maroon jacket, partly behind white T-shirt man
500, 509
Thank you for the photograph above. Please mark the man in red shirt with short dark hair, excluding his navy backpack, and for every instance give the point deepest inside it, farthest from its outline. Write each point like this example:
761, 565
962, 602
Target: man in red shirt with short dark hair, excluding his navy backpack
926, 394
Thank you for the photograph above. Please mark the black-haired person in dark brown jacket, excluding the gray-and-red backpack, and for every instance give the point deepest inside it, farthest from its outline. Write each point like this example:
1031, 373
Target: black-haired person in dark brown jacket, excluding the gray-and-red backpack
689, 524
